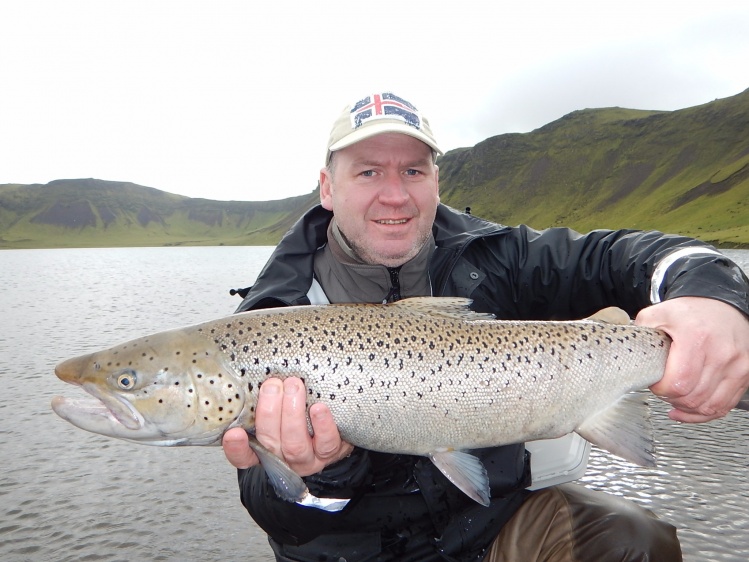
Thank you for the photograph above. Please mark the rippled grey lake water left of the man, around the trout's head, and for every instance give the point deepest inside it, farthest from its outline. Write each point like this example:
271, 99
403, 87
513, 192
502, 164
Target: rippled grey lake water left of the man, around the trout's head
69, 495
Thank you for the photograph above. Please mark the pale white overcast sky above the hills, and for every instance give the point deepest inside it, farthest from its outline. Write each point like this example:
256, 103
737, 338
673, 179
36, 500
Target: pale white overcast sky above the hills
235, 99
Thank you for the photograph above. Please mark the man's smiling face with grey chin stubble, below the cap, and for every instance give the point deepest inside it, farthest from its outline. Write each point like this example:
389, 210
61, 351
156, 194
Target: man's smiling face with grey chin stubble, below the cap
384, 195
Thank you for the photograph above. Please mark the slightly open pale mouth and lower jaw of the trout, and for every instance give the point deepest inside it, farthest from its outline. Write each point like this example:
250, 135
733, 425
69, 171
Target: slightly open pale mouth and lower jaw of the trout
100, 411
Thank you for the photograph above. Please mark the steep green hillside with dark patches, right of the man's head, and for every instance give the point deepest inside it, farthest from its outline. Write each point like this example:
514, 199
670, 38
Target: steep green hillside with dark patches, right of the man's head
684, 171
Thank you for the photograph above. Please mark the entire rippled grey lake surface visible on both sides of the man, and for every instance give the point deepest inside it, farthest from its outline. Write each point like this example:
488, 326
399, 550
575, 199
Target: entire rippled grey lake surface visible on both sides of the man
66, 494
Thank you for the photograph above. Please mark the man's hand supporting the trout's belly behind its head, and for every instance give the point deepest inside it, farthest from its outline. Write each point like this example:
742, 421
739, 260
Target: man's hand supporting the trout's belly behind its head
281, 426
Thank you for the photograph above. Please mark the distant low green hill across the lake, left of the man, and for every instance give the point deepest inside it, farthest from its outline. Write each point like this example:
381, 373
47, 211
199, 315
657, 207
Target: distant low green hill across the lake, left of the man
97, 213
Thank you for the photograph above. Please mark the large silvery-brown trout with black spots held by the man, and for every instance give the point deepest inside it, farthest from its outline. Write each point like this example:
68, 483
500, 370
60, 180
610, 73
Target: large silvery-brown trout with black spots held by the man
423, 376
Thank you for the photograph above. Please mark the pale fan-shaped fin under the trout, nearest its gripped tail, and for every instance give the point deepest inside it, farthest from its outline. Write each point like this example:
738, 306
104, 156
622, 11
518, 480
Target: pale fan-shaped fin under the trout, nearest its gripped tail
623, 429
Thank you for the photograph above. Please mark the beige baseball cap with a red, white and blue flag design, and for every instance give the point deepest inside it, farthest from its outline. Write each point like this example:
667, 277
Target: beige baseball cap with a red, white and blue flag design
377, 114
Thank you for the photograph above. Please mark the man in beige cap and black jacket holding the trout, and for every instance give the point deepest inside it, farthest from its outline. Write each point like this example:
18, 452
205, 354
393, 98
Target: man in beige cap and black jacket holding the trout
380, 234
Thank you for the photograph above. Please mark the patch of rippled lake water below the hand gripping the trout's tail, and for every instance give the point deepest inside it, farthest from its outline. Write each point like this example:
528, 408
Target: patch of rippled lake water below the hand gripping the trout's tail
700, 484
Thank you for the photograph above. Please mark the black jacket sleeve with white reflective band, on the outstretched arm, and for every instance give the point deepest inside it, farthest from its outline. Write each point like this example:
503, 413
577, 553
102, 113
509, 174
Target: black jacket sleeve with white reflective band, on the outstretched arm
561, 273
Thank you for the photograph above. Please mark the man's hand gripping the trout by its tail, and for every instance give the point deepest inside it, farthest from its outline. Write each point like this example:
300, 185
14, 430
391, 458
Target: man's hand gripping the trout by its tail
707, 370
